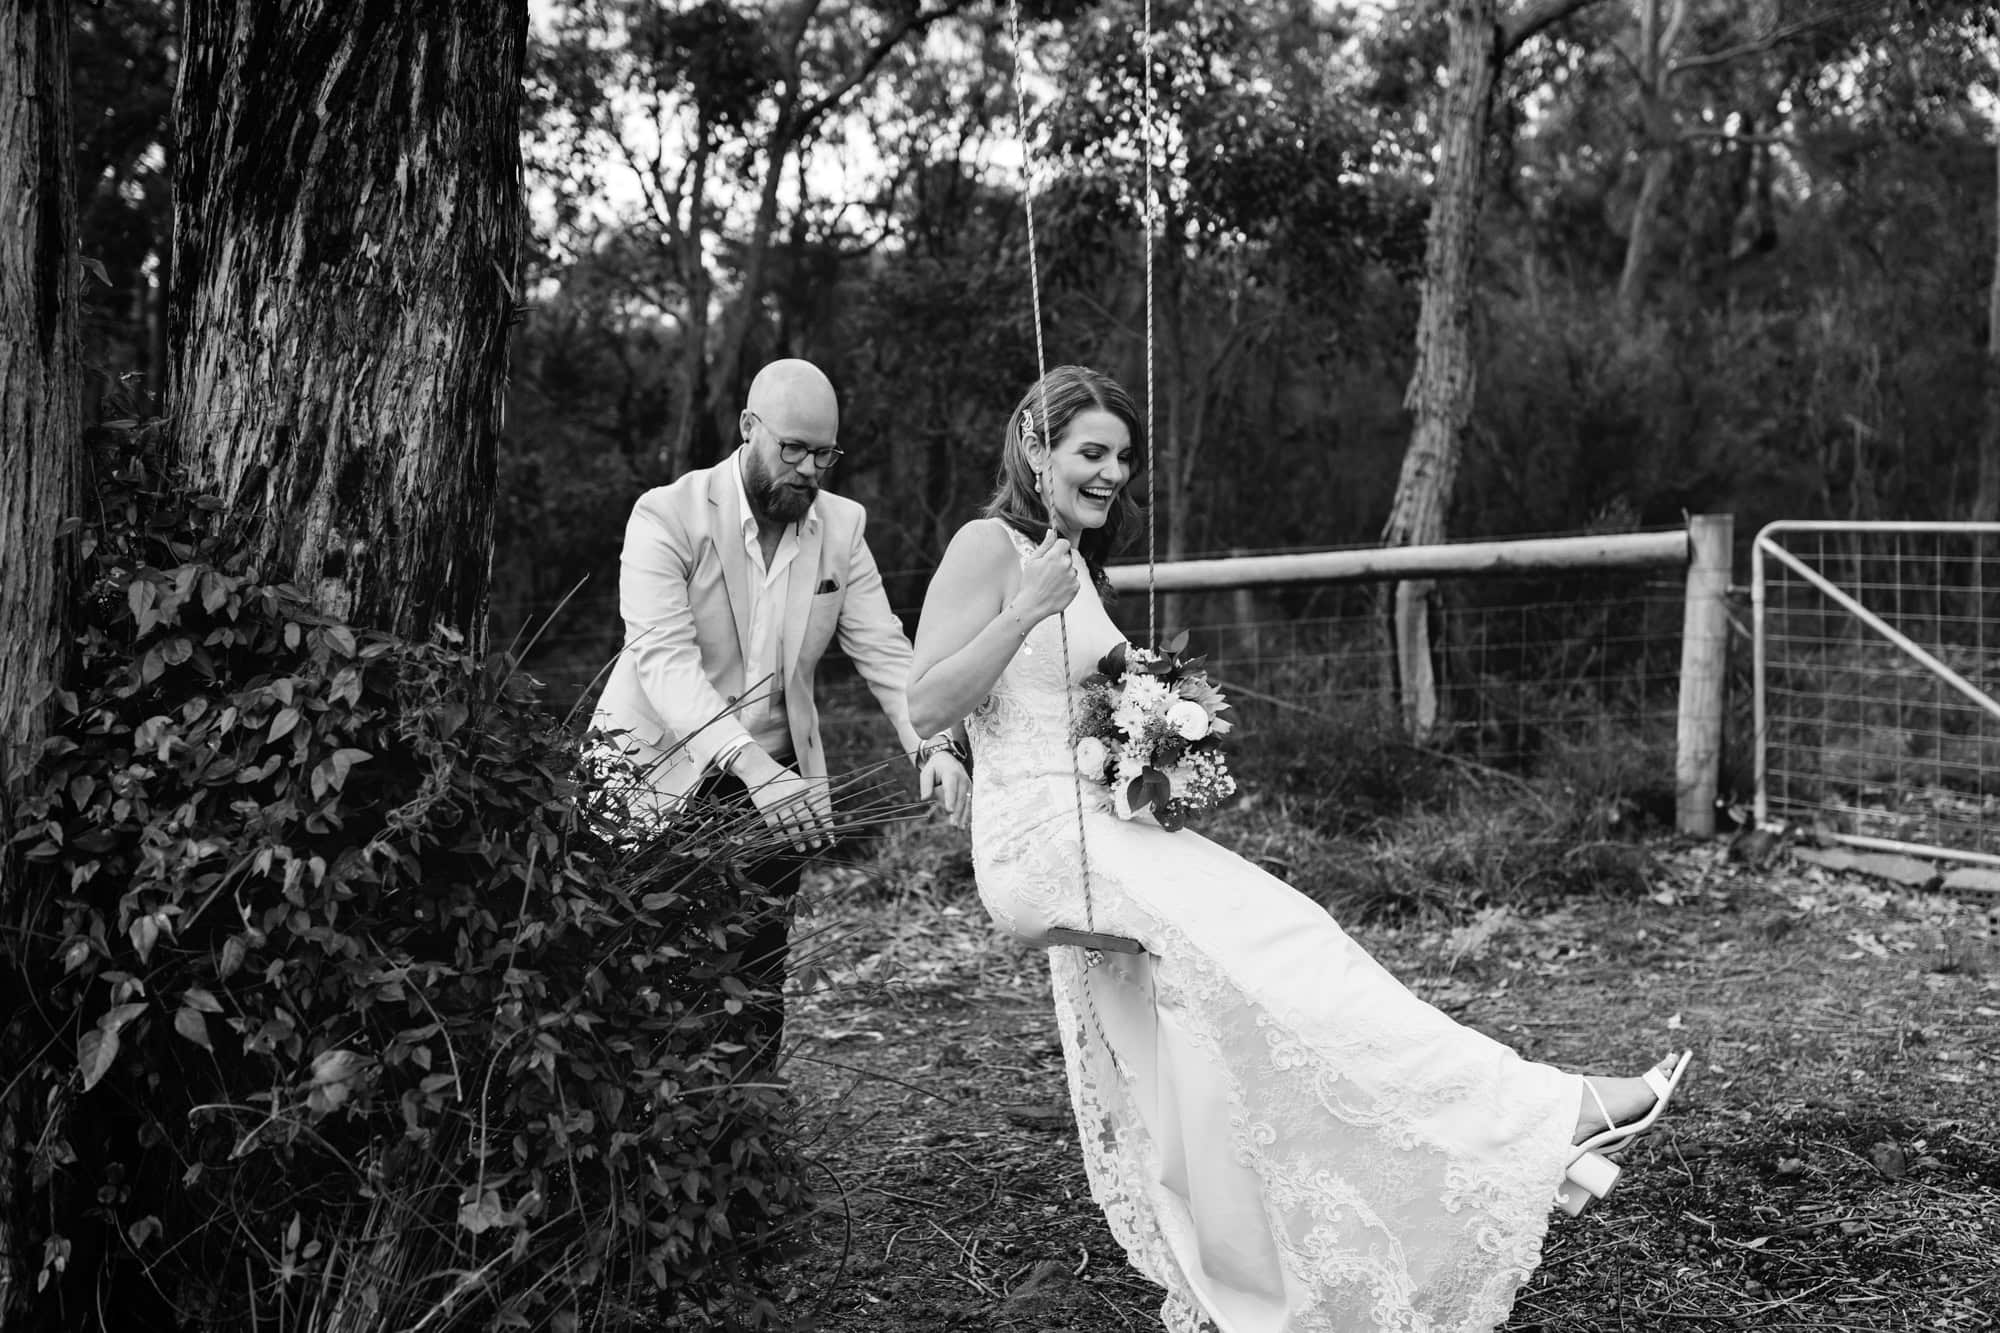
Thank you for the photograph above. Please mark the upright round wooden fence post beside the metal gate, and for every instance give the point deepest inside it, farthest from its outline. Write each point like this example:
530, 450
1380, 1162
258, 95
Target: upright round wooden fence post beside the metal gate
1705, 647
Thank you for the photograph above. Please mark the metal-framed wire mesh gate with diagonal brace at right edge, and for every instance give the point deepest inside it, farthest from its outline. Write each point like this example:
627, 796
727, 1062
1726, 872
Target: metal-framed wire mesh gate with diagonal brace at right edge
1877, 668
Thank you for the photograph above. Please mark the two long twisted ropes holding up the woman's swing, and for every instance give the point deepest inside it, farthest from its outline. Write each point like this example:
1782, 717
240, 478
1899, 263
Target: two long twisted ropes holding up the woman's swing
1041, 377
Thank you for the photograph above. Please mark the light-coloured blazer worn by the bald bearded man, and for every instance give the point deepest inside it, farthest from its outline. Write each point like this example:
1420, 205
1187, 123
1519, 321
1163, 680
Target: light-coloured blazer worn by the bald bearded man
683, 593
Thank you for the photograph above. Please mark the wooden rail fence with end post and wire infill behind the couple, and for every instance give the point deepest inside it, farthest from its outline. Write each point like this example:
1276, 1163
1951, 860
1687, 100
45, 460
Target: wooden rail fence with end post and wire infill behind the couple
1551, 645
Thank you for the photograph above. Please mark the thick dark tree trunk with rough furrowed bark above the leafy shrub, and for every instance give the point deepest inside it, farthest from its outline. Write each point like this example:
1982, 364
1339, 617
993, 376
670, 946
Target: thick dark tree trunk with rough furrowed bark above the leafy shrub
347, 239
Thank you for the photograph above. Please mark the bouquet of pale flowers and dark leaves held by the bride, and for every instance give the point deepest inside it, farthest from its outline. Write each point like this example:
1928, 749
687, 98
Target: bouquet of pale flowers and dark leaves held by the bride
1151, 728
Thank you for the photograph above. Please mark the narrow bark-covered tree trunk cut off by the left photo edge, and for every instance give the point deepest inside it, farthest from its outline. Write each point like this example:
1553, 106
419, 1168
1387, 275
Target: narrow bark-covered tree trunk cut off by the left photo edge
39, 361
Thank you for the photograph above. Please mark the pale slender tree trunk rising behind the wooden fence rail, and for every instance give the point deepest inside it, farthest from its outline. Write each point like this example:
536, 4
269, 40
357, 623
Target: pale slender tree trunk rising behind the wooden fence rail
1441, 385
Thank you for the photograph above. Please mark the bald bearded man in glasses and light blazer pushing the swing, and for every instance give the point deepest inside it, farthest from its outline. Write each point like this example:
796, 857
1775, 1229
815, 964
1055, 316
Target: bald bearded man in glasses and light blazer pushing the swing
733, 581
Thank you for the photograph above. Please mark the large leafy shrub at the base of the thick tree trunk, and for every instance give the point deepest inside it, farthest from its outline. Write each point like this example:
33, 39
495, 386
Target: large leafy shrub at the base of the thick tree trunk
339, 996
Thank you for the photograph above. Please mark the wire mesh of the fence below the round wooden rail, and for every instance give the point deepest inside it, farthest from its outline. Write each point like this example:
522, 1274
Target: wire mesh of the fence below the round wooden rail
1533, 672
